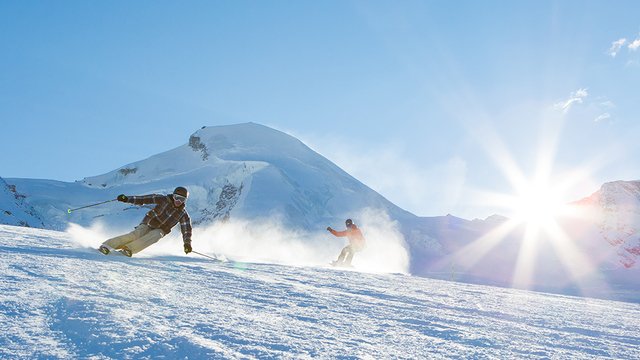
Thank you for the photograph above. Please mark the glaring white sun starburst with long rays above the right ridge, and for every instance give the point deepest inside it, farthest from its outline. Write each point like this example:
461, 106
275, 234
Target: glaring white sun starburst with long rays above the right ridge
538, 214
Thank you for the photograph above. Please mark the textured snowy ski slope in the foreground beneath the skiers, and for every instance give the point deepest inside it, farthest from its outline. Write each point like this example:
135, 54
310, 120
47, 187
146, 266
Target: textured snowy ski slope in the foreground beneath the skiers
60, 301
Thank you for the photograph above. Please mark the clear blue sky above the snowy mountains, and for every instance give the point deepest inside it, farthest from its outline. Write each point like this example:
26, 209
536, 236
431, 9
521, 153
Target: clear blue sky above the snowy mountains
433, 104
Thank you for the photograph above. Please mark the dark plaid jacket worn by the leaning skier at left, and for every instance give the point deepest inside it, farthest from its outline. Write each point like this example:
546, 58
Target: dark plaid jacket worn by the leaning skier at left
164, 215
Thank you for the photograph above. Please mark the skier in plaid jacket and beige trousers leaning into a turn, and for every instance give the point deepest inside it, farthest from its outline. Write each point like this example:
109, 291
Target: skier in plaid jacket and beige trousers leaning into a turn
169, 210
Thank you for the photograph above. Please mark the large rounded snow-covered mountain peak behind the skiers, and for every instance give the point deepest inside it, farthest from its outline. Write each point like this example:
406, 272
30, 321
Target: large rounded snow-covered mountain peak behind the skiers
243, 171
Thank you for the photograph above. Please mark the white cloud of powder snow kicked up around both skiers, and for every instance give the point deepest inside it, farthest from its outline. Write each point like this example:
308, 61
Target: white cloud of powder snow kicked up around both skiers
268, 240
